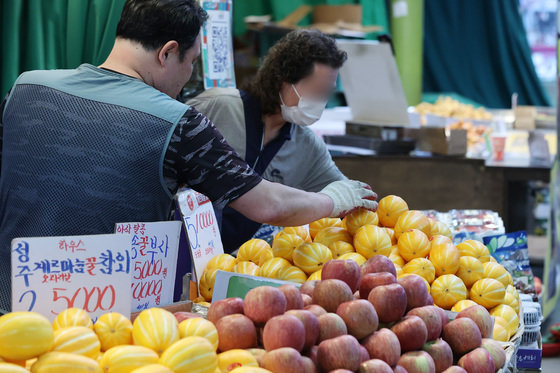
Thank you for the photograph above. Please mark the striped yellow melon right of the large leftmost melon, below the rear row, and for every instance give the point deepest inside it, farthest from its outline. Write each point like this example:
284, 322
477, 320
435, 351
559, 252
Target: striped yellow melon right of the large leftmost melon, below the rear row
77, 340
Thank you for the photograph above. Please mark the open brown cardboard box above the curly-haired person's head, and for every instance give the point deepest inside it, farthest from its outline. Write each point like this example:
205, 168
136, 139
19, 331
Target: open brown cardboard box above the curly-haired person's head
345, 20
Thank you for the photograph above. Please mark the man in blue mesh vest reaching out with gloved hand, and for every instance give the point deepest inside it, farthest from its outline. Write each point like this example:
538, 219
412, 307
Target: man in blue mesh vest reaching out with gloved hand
86, 148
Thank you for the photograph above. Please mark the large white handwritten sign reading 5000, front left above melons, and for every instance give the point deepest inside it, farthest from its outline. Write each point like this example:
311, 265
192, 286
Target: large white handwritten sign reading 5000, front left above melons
51, 274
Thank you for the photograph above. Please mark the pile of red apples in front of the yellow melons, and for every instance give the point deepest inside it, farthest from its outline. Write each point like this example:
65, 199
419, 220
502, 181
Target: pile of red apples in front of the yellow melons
356, 320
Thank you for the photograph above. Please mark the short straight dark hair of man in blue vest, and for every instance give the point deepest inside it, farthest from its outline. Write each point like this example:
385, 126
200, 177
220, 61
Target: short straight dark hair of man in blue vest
152, 23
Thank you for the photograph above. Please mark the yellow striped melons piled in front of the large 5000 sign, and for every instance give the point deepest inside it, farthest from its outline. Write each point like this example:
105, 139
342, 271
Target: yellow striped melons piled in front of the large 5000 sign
154, 343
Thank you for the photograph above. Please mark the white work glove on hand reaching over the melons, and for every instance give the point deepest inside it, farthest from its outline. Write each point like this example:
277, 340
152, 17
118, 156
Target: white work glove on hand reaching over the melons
348, 195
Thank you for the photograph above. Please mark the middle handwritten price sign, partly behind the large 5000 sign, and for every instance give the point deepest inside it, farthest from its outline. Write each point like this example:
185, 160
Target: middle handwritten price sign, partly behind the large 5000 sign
153, 248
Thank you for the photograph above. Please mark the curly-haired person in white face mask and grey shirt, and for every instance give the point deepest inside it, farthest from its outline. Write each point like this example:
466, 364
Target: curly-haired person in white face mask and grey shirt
267, 122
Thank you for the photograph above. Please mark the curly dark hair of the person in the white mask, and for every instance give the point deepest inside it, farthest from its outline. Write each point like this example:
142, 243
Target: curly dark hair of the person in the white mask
291, 59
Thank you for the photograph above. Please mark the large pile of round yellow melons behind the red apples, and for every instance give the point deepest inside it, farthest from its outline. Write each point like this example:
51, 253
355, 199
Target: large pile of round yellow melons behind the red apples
456, 276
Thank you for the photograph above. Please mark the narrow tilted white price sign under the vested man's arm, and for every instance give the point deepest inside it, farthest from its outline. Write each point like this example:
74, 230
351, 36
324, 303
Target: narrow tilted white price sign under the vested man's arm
201, 227
